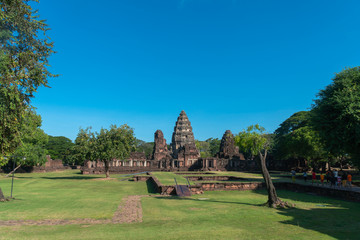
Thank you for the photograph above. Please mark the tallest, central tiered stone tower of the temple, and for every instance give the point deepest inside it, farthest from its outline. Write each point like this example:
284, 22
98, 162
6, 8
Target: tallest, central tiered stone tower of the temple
183, 142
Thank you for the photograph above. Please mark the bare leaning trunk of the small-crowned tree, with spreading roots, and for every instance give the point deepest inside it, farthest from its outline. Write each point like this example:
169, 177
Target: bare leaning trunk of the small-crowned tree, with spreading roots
273, 200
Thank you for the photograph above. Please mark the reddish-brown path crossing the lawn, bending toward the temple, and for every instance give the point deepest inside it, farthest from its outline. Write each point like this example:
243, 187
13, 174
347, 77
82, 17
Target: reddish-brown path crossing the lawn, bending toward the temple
129, 211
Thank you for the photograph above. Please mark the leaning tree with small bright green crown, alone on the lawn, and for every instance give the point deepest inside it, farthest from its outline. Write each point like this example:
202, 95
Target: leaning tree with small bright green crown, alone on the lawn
257, 143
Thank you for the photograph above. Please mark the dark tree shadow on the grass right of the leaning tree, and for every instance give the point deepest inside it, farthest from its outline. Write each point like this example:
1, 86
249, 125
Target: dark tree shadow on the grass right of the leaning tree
336, 218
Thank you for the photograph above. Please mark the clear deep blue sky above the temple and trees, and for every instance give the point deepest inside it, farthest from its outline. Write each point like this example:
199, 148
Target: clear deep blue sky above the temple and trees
228, 63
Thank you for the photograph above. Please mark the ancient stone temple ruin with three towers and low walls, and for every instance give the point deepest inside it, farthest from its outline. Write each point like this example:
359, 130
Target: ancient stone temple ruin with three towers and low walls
182, 156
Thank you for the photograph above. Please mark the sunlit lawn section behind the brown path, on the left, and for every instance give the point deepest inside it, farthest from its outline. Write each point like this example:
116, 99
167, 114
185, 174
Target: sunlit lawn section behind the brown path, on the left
64, 195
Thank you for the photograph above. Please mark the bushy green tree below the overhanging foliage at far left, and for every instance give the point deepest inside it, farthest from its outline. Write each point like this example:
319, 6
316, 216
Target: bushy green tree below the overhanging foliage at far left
32, 150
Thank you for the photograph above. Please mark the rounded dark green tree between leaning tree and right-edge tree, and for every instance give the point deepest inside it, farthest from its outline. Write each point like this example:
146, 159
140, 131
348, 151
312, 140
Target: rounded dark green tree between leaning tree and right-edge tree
296, 138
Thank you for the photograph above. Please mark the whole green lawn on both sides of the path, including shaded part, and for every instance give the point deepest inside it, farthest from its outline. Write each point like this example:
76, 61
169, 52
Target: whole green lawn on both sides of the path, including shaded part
213, 215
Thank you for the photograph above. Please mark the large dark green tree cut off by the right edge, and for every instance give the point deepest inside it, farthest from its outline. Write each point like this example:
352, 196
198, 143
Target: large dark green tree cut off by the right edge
337, 114
